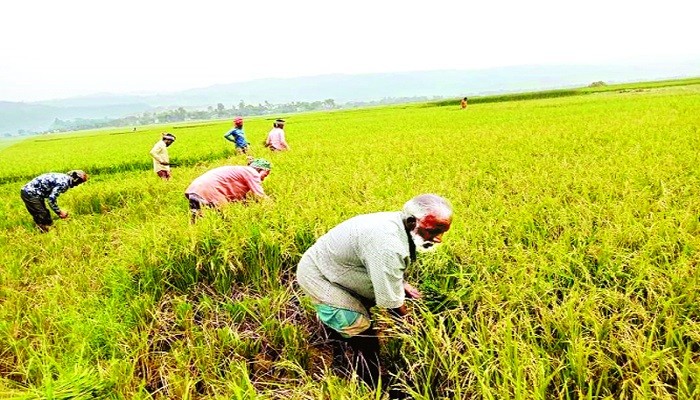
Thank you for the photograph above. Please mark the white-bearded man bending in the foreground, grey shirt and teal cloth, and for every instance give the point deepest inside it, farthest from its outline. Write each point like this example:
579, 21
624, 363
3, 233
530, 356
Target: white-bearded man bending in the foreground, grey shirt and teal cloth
360, 263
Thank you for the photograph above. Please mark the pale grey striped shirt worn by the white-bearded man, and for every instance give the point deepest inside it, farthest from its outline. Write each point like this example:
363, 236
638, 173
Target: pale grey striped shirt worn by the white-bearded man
363, 256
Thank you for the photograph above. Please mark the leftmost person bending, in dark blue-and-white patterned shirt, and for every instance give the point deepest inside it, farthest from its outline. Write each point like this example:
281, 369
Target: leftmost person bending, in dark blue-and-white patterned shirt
49, 186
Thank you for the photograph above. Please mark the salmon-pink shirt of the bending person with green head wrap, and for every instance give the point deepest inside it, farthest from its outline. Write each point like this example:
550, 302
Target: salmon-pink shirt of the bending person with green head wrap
228, 183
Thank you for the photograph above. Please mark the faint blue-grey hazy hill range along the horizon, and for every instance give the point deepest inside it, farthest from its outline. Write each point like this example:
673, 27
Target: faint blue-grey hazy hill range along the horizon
38, 116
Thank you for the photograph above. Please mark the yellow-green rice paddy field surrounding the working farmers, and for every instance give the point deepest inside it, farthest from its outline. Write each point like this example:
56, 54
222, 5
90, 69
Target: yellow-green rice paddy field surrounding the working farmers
570, 271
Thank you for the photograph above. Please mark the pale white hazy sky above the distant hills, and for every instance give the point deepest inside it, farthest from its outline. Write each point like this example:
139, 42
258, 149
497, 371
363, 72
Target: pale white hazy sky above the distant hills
54, 49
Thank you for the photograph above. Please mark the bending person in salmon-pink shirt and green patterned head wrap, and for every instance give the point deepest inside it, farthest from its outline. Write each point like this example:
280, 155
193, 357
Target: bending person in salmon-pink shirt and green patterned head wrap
227, 184
